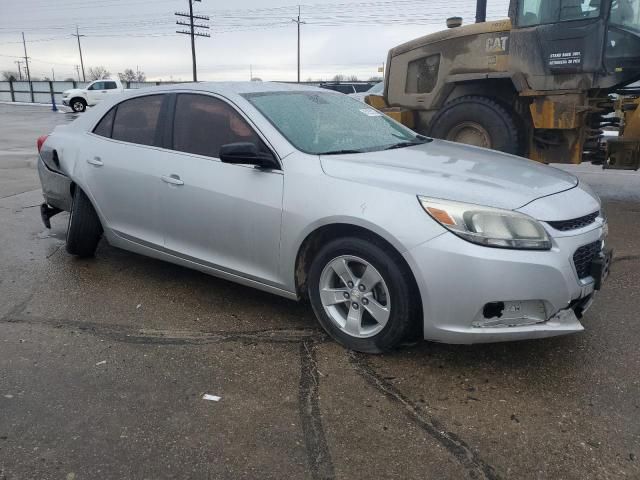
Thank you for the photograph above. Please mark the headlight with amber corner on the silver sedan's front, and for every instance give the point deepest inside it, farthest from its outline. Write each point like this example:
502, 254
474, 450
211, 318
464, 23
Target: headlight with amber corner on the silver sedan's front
491, 227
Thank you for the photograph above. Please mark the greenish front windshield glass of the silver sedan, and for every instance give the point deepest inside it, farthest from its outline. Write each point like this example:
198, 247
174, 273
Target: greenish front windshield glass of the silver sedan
322, 123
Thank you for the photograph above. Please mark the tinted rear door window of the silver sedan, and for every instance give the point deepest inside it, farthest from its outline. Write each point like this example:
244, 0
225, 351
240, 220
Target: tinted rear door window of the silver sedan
137, 119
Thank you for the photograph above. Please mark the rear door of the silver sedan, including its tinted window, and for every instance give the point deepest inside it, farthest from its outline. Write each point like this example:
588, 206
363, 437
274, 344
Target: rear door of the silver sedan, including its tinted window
122, 171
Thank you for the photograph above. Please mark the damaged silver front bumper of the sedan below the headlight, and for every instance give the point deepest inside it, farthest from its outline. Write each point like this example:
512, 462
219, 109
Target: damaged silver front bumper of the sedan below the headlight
540, 290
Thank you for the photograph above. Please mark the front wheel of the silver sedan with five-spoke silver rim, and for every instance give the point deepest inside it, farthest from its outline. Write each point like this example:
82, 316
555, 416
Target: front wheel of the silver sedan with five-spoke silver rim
394, 293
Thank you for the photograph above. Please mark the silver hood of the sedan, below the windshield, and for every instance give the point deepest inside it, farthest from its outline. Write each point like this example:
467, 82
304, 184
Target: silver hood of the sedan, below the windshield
452, 171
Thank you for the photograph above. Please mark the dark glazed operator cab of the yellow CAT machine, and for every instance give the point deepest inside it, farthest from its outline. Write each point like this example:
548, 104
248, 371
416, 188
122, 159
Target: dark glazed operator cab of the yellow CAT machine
575, 44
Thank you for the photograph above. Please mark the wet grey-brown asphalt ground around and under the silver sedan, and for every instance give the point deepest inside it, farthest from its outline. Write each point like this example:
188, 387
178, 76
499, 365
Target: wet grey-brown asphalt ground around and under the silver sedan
104, 364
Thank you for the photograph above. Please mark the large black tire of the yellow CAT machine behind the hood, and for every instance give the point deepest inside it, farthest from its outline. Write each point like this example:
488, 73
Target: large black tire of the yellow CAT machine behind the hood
478, 121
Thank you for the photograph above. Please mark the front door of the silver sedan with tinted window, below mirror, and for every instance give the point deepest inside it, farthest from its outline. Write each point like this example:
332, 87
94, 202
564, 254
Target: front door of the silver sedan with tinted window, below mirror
221, 215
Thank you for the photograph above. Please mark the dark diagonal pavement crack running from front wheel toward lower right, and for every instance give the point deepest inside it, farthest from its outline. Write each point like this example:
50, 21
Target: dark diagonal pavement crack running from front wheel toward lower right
475, 466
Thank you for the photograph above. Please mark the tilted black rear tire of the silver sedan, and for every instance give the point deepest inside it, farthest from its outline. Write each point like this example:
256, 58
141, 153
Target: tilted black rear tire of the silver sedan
85, 230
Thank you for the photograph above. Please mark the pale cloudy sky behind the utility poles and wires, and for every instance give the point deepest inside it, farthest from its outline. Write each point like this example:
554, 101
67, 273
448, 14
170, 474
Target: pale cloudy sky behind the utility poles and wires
350, 37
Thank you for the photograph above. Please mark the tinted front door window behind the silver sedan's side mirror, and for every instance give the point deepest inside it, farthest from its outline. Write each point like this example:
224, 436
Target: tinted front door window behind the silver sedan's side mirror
202, 124
